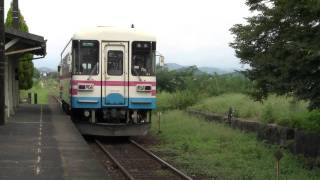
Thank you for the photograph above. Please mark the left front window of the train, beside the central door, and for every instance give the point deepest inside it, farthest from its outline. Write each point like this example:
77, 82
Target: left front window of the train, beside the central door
85, 57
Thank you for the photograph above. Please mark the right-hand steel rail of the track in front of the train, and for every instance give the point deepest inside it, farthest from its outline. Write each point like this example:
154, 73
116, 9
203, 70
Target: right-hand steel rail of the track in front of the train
178, 172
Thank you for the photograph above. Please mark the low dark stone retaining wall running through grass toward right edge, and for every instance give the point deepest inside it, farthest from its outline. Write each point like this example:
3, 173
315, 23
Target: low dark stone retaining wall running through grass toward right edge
297, 141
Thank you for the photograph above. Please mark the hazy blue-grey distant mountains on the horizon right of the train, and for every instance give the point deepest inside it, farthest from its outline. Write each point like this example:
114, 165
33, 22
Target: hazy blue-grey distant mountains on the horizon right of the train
209, 70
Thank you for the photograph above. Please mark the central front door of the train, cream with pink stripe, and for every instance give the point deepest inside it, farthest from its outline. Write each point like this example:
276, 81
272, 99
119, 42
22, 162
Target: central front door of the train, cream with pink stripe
115, 76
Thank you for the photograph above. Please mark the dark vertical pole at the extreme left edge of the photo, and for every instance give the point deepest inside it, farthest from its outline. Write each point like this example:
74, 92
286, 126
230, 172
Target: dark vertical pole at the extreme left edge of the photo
2, 64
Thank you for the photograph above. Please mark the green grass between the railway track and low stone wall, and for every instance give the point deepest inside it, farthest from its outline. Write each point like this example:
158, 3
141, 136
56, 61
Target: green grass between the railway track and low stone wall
216, 151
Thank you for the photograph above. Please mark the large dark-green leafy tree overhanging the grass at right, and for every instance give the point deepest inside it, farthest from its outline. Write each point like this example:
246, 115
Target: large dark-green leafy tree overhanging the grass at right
281, 43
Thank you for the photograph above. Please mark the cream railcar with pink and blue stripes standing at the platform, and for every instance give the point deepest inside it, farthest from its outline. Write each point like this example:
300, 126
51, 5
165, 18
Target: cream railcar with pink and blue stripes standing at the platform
107, 81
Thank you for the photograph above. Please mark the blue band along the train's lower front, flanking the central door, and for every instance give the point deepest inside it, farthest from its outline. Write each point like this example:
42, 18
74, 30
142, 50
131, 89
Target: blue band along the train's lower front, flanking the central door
95, 103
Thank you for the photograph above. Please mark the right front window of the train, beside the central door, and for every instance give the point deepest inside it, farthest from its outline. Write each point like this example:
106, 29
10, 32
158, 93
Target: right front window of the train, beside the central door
143, 58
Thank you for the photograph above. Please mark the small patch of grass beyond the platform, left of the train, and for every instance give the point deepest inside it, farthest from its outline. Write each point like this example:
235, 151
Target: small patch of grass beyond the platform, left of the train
43, 88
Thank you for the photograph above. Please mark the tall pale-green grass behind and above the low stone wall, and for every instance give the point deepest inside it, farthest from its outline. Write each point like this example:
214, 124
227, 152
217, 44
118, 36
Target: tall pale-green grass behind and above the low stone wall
276, 109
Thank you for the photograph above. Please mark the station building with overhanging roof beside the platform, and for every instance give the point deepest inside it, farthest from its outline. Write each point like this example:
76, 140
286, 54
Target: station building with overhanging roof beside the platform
17, 43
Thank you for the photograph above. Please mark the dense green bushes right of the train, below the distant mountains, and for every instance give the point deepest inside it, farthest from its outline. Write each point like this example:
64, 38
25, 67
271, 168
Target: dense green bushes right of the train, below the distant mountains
199, 83
